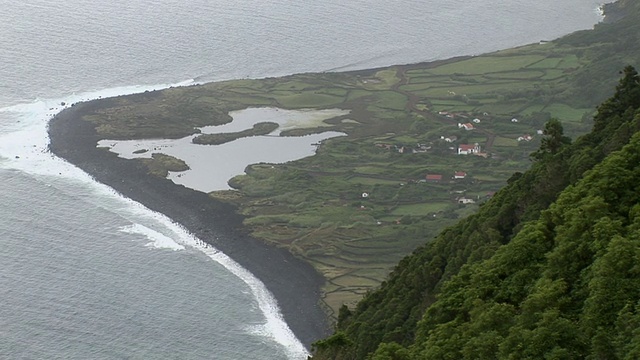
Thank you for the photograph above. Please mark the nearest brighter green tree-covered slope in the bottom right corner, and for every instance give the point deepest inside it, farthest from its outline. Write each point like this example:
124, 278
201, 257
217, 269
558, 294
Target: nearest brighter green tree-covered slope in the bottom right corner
566, 286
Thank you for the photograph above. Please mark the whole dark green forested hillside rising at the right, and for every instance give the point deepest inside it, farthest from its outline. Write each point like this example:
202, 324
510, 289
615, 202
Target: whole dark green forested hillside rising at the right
548, 268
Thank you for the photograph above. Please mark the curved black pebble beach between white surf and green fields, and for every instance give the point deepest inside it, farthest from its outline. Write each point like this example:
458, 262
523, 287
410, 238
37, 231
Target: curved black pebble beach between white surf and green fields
293, 282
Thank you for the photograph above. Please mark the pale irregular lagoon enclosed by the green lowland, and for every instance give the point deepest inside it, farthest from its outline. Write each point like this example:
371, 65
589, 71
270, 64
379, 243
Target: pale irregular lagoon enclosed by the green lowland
211, 166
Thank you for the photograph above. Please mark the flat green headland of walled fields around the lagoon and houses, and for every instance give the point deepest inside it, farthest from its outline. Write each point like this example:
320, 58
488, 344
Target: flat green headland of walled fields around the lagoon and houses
314, 206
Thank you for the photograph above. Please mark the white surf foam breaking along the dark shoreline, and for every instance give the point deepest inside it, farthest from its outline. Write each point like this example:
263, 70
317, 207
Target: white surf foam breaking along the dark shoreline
25, 148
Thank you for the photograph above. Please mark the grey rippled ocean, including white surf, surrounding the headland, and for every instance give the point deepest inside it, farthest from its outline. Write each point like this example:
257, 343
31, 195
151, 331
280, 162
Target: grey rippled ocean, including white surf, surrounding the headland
87, 274
